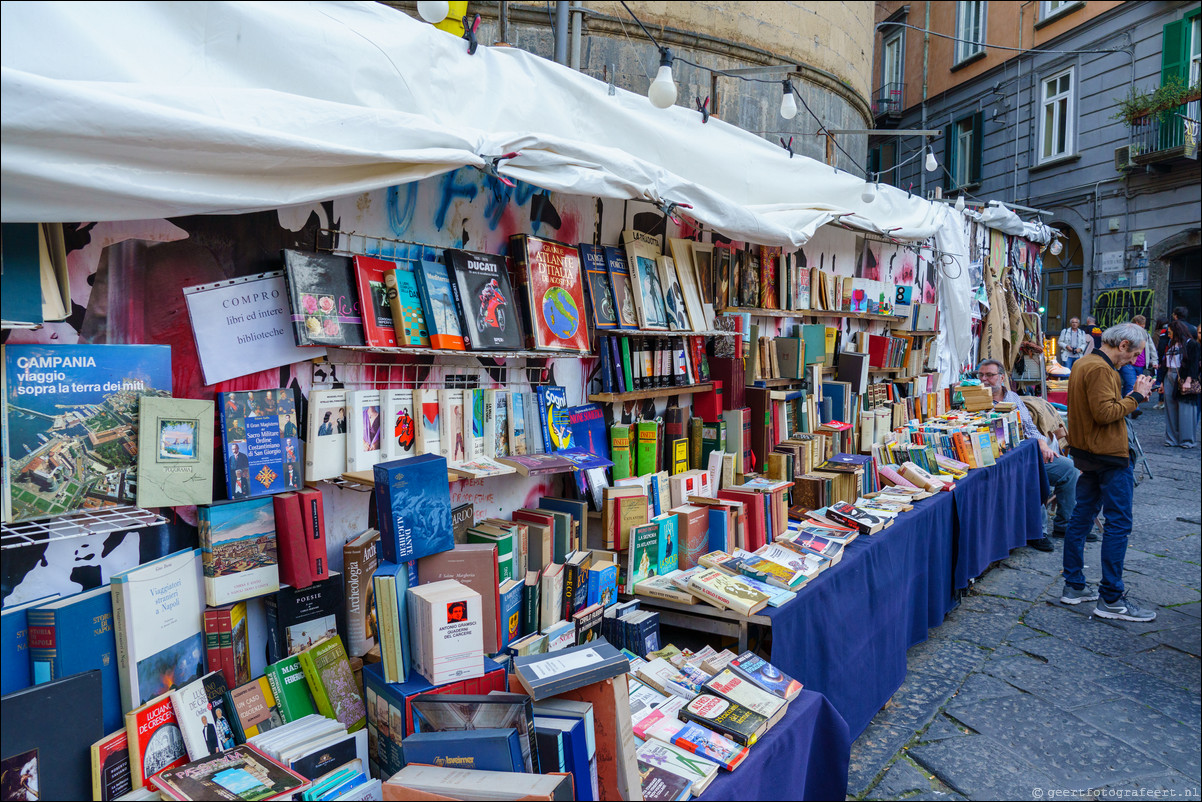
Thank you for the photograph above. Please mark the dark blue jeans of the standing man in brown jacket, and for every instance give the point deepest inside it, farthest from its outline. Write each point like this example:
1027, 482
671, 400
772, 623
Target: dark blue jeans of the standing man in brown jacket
1112, 492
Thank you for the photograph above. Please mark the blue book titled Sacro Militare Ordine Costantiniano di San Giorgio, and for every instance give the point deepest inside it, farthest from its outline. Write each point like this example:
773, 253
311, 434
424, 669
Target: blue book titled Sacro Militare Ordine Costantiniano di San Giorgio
260, 443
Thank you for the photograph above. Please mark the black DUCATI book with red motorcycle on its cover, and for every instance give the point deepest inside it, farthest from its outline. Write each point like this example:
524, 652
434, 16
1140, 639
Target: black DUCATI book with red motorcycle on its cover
485, 301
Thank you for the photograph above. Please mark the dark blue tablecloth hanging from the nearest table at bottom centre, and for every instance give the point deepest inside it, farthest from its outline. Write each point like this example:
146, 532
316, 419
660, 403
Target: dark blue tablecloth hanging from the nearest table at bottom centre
805, 757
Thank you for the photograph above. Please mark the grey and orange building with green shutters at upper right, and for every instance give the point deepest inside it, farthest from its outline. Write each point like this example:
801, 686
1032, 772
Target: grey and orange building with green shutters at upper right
1030, 100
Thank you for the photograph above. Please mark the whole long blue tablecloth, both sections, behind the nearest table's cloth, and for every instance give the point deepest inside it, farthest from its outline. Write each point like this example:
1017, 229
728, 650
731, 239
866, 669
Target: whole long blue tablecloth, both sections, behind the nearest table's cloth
848, 632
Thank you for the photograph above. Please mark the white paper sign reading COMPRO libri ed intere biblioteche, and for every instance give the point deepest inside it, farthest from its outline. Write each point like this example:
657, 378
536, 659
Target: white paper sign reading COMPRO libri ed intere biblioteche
243, 326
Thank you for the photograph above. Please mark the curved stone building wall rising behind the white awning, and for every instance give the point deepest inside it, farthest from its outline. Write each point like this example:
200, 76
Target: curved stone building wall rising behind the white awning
828, 47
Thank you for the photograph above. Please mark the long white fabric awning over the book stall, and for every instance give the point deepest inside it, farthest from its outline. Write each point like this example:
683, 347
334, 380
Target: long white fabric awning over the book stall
152, 110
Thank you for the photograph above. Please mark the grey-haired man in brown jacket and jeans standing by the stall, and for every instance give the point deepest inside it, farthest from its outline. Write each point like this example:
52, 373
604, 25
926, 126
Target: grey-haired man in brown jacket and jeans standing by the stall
1098, 443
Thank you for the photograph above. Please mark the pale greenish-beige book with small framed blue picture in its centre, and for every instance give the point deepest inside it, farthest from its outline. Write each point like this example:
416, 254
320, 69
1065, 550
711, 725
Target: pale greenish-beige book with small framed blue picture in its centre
175, 459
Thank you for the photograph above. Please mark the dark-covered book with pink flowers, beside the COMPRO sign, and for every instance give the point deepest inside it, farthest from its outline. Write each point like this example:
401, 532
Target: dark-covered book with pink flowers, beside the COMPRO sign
324, 298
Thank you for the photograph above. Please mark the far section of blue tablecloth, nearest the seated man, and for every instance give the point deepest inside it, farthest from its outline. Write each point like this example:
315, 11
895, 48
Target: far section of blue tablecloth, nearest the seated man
998, 509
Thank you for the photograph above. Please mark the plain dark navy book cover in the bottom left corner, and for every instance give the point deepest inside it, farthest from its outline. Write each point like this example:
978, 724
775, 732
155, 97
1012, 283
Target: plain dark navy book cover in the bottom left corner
47, 736
